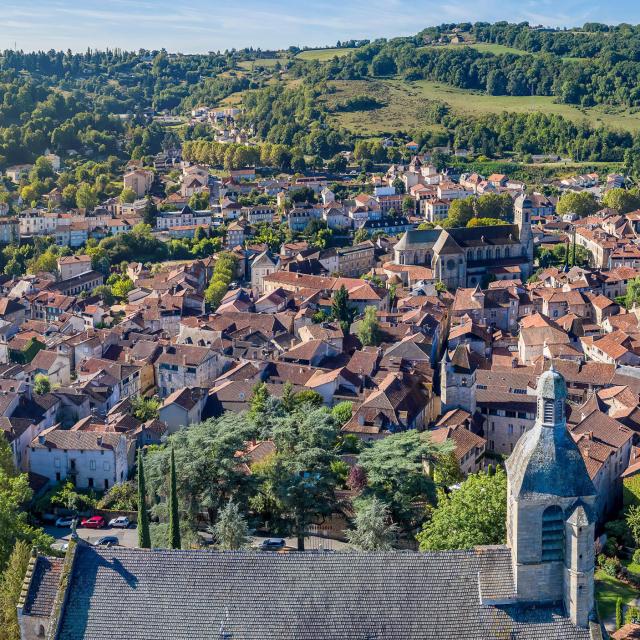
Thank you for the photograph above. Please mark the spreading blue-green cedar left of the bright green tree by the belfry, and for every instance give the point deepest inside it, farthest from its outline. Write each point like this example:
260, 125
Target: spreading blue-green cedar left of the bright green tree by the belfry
395, 472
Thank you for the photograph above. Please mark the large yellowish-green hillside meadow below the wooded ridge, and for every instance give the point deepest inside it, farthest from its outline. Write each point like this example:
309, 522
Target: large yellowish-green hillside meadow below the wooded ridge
404, 101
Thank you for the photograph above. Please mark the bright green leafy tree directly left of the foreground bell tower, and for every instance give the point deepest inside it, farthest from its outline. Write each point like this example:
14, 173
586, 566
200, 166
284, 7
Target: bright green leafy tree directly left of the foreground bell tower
475, 514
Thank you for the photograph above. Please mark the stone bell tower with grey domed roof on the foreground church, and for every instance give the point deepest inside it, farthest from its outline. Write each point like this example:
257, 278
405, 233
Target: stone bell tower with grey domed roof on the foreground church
550, 510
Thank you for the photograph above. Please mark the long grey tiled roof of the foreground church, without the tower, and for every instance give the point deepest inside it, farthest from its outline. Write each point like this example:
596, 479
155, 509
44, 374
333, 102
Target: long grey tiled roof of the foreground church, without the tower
134, 594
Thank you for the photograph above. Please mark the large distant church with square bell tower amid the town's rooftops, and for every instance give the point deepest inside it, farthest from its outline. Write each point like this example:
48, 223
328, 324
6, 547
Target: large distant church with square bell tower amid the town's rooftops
466, 256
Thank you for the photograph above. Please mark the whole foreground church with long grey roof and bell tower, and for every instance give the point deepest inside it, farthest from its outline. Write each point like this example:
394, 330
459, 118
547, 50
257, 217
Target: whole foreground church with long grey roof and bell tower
539, 585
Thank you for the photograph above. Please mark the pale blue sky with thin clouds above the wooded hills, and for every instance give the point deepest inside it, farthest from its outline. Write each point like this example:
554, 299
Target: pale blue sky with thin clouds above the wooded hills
204, 25
